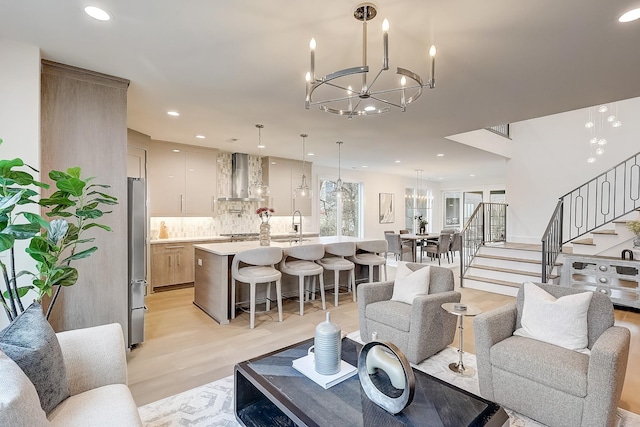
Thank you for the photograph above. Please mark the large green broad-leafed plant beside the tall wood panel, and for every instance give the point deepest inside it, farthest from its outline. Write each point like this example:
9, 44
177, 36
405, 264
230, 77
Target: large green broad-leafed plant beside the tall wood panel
74, 206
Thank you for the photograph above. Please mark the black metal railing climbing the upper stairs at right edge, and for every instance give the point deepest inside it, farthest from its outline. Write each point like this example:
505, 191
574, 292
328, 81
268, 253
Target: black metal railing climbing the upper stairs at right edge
605, 198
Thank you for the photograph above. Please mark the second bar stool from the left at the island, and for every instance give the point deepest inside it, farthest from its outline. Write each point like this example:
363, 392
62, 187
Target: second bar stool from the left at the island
303, 265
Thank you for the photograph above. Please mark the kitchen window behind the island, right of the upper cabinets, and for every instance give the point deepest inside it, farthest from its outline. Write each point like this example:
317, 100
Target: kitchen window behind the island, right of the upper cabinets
344, 210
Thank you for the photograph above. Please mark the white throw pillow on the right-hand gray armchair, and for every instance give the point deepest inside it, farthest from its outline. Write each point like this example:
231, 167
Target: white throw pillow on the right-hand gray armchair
562, 321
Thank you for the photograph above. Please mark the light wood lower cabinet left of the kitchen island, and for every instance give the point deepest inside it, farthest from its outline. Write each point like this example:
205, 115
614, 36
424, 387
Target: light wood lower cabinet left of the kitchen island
171, 264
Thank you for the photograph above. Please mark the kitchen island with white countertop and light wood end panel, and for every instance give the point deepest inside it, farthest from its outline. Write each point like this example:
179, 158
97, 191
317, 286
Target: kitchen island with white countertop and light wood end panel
213, 272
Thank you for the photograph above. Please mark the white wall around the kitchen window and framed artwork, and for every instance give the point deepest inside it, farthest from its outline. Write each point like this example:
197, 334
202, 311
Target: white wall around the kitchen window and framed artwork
374, 184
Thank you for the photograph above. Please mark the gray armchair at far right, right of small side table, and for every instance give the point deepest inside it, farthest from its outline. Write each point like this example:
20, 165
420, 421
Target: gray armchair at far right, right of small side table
553, 385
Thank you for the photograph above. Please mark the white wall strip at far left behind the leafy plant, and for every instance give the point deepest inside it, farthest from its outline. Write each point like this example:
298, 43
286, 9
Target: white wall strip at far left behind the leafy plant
20, 119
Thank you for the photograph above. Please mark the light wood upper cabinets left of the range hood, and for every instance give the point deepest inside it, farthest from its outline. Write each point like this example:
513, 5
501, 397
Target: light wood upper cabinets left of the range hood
182, 180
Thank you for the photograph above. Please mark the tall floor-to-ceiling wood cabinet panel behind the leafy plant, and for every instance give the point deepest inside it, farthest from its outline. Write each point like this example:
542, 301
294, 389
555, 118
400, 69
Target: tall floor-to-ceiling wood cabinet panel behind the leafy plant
84, 123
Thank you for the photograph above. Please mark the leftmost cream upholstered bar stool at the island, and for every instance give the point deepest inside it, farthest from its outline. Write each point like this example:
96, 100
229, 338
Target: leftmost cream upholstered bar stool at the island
260, 270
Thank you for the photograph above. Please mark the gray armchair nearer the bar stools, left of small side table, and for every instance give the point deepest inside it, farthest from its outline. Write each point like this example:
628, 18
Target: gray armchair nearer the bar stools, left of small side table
419, 330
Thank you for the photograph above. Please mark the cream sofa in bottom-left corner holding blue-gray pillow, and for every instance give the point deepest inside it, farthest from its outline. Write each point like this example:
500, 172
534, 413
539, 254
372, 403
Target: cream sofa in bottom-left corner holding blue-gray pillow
96, 371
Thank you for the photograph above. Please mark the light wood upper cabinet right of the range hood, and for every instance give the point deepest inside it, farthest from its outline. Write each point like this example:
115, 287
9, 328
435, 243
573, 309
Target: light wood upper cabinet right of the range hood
283, 176
